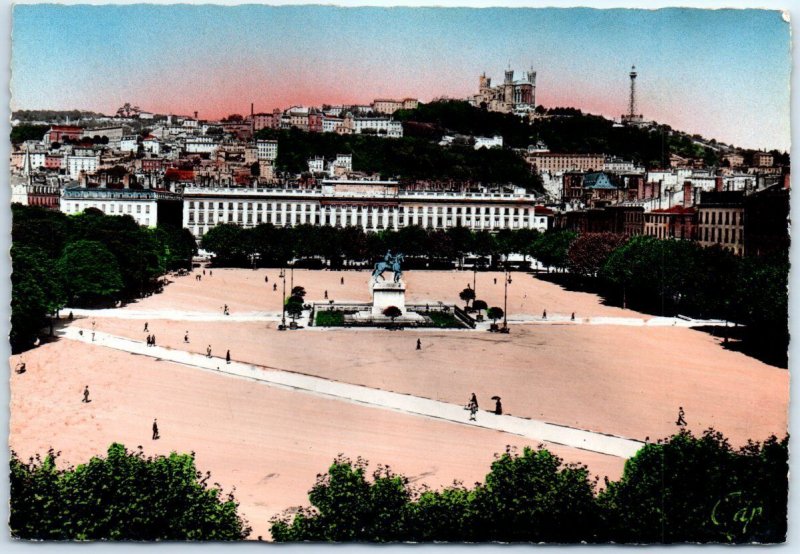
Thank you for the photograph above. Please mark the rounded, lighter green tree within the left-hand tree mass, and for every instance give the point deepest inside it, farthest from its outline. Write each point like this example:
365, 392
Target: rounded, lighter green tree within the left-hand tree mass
89, 272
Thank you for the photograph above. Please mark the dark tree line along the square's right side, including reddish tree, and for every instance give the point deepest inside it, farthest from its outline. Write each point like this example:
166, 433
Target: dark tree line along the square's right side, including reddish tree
671, 277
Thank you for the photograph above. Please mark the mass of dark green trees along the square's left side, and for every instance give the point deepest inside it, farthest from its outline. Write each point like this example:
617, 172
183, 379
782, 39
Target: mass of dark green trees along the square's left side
84, 260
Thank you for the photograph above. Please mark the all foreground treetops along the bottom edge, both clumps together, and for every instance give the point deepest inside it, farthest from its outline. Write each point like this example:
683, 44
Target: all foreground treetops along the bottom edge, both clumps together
682, 489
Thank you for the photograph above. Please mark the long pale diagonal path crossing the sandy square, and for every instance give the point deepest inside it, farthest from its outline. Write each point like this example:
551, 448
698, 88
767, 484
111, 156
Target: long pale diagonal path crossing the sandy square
529, 428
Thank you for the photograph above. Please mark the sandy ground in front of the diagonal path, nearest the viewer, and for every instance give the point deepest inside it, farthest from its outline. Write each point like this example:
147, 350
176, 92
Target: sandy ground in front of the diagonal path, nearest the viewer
268, 443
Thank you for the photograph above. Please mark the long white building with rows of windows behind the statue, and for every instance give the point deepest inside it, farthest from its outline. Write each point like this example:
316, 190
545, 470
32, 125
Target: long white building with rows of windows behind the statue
370, 205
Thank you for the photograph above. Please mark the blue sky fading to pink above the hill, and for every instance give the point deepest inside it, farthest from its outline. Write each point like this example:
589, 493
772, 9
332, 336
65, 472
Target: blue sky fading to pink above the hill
723, 74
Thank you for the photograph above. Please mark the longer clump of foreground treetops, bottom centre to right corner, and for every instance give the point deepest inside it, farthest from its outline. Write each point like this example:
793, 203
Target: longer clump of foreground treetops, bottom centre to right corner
683, 489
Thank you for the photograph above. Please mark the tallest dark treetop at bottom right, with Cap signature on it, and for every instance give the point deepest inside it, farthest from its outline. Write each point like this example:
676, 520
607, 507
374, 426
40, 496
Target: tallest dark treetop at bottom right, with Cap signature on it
700, 490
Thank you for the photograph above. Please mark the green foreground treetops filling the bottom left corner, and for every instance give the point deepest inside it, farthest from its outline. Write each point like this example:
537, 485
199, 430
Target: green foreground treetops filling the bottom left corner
124, 496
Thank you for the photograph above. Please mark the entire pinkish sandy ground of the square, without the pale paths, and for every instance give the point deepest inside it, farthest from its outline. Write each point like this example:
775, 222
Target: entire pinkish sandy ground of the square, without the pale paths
271, 443
